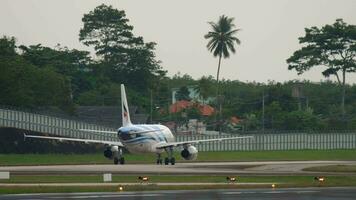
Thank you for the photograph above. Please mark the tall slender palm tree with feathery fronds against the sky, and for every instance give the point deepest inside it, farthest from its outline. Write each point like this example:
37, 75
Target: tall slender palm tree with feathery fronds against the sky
221, 42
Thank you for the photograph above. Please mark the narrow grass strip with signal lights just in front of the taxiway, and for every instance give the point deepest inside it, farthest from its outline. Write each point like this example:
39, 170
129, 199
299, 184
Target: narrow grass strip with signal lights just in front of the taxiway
172, 179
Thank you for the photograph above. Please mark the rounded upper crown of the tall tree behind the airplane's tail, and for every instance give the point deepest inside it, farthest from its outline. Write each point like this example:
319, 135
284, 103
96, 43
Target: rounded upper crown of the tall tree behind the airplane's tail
107, 30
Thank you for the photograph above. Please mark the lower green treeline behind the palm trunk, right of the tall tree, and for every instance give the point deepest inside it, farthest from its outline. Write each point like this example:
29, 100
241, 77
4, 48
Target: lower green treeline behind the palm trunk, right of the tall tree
291, 105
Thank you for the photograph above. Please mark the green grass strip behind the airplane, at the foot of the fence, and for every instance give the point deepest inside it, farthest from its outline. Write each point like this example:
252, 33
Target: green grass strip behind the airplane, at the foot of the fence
52, 159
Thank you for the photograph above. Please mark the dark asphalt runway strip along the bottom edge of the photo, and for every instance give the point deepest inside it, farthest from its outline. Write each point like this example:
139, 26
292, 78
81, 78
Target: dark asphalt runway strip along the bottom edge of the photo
242, 194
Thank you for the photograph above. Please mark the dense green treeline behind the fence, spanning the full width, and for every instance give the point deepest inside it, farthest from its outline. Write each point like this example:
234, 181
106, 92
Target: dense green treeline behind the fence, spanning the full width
38, 76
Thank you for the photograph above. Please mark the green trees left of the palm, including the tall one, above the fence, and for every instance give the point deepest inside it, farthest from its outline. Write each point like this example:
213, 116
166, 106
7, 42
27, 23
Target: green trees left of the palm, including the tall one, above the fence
30, 74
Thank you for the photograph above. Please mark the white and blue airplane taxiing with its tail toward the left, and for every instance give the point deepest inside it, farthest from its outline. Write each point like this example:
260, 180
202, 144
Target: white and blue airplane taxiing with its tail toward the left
140, 139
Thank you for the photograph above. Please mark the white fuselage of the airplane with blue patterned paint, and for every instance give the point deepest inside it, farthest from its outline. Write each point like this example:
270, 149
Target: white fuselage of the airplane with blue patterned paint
145, 141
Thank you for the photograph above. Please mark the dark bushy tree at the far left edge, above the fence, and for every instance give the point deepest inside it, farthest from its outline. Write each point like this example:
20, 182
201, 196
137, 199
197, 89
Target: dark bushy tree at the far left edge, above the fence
23, 84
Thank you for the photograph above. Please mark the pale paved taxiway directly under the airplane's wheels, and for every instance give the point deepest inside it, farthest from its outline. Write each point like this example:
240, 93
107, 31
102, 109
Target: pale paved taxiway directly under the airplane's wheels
256, 168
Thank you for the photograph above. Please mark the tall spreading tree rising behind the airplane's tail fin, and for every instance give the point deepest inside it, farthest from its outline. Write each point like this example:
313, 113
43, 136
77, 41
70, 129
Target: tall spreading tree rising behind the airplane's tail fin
125, 57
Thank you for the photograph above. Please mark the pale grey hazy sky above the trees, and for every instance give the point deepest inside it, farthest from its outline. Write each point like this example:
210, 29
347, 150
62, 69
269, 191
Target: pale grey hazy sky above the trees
269, 35
